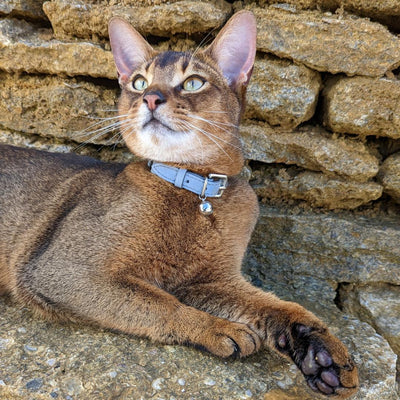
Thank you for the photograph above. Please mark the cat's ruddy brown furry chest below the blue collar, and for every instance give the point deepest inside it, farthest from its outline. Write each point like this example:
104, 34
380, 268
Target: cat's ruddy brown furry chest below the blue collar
163, 237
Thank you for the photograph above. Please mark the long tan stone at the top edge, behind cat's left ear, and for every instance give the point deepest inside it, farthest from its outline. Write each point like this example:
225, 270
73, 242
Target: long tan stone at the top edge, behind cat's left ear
90, 18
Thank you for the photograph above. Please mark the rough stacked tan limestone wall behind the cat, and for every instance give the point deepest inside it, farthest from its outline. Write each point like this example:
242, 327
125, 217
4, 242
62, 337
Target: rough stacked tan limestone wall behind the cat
321, 132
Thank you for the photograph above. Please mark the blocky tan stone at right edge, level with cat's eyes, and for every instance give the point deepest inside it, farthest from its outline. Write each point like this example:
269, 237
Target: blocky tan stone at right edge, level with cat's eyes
363, 106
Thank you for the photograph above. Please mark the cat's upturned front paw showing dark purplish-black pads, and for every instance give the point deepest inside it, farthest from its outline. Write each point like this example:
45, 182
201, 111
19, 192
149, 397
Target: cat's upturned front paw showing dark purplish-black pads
322, 358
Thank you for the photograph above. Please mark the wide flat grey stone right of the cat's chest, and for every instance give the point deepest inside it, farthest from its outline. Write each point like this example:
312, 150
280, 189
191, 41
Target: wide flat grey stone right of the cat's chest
335, 247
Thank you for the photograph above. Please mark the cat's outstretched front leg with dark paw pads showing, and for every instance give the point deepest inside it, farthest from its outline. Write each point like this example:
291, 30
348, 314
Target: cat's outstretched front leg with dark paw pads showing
286, 327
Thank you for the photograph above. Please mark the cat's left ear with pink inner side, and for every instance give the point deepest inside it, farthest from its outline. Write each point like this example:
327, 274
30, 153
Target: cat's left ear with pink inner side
128, 46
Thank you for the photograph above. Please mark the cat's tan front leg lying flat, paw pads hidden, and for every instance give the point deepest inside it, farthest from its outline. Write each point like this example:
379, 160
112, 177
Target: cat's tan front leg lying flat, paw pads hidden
137, 307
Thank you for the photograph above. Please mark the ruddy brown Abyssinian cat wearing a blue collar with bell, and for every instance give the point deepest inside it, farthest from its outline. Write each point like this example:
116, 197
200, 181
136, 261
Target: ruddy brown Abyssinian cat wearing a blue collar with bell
155, 248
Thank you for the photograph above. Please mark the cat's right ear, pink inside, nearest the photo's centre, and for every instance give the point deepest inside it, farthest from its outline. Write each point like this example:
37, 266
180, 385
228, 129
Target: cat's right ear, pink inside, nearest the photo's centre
234, 48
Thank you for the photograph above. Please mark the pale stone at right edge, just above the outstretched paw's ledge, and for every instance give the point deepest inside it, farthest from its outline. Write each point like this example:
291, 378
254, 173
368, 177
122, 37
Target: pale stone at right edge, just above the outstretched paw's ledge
379, 305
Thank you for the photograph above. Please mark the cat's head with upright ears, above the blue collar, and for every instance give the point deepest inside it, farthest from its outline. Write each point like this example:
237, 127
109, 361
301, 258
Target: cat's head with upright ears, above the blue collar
181, 107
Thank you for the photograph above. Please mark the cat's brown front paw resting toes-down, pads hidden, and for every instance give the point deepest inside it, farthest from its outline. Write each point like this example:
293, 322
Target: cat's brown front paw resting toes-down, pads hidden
225, 339
